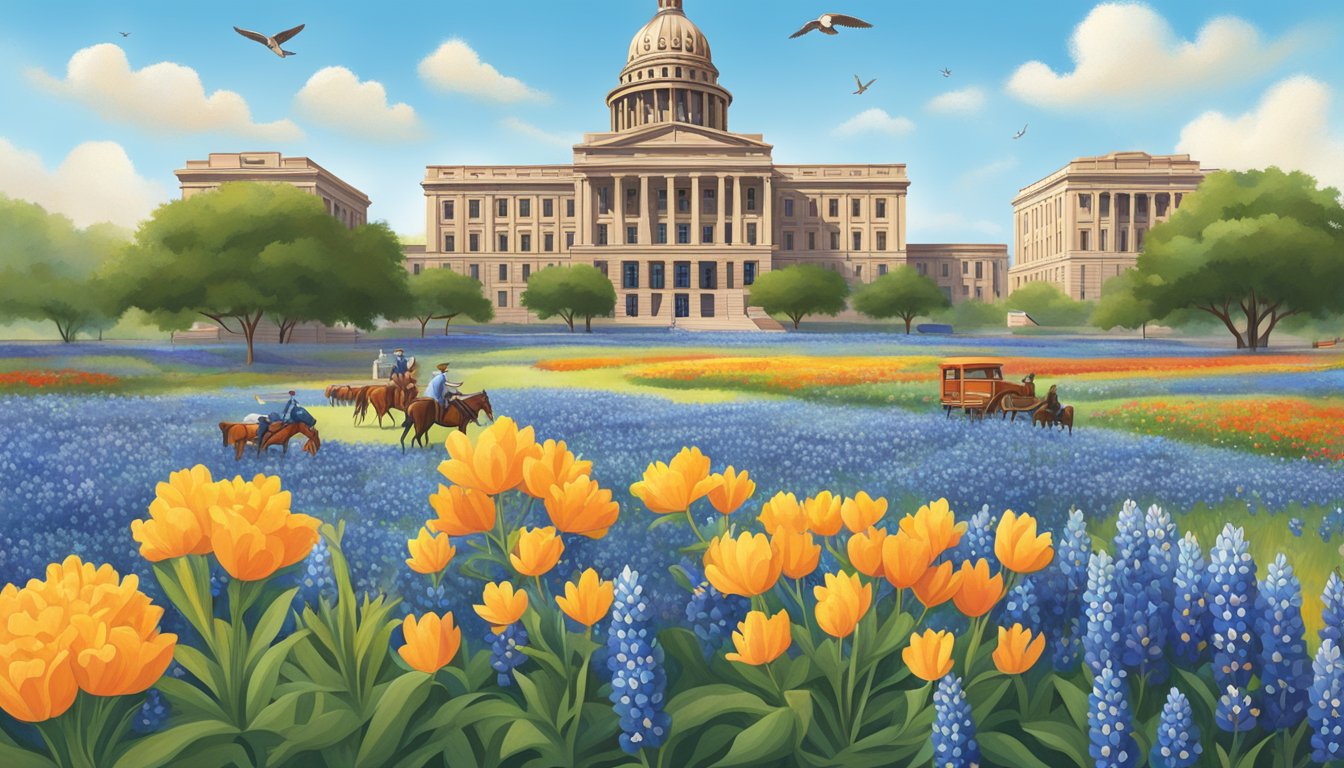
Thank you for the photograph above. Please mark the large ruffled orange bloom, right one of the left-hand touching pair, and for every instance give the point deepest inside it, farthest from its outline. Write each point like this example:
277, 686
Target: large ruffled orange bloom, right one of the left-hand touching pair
253, 532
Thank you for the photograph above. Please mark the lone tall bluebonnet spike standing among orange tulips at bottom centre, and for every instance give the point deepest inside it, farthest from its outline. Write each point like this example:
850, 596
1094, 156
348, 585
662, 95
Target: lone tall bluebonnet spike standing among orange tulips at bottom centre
635, 658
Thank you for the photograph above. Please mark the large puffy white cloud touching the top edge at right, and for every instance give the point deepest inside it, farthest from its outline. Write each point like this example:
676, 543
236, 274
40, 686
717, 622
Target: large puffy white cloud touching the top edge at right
1128, 53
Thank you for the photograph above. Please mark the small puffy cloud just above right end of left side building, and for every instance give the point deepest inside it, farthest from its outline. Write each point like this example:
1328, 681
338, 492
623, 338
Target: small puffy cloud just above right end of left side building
335, 98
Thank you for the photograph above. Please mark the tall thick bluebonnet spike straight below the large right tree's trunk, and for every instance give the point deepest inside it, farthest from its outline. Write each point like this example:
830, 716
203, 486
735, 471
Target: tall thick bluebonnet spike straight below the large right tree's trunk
1232, 602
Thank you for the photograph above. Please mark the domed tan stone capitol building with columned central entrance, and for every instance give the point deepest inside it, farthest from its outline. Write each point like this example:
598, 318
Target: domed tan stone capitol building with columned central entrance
682, 213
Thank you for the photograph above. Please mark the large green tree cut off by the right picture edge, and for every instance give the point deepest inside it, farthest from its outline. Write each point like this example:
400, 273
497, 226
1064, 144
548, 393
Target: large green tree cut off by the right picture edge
1251, 249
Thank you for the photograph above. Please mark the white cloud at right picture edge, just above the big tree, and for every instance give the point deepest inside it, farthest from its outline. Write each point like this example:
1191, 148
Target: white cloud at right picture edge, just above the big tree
1288, 128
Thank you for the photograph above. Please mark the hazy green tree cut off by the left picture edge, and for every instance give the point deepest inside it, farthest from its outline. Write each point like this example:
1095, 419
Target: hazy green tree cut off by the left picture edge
49, 270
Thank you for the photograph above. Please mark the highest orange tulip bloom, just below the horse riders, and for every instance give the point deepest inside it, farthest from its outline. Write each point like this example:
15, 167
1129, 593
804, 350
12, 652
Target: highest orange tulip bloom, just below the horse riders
495, 463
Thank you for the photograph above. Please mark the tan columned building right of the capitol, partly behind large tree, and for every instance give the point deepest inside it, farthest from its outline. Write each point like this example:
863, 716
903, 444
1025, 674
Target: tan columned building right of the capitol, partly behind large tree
1085, 224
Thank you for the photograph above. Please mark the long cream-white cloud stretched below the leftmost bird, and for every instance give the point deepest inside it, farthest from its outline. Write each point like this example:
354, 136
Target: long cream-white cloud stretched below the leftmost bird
165, 98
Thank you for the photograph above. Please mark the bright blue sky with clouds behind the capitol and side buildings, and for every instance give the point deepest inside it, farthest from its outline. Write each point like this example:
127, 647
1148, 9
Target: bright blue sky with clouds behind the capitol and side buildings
1240, 84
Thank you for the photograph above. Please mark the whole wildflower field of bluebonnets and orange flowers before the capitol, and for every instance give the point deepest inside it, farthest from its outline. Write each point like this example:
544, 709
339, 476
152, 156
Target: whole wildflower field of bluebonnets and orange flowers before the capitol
618, 575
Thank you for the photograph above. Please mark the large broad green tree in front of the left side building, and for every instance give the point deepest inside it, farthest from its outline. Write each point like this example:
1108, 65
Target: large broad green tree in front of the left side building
251, 251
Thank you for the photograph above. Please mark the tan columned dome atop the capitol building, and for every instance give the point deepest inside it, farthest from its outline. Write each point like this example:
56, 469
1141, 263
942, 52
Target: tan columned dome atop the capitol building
670, 77
